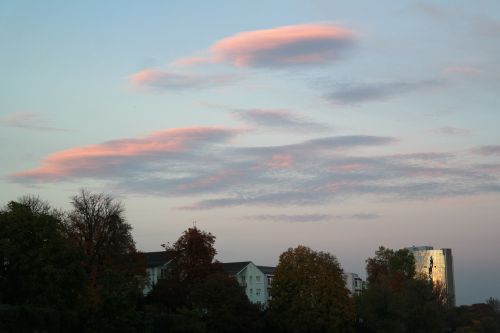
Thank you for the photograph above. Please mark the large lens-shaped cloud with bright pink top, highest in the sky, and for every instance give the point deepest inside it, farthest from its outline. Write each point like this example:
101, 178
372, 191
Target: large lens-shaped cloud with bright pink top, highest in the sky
294, 45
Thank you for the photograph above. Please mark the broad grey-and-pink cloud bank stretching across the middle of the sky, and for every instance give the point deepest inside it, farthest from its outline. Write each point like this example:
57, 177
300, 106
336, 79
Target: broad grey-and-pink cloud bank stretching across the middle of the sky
205, 168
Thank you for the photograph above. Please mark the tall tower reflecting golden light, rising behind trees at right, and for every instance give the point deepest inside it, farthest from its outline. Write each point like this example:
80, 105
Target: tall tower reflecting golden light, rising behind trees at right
437, 266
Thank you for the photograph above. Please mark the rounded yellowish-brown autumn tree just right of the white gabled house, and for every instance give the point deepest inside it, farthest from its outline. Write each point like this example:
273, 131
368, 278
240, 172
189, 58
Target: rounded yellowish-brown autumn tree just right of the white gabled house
309, 293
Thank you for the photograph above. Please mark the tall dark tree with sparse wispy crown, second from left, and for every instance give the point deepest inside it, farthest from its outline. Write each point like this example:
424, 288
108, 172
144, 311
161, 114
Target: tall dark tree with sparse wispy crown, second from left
115, 271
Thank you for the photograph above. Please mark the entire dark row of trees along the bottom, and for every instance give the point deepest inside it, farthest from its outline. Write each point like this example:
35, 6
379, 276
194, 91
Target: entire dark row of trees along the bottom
79, 271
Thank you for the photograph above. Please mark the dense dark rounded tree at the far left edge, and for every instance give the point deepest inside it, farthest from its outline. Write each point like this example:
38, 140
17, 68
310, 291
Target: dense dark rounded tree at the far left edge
38, 266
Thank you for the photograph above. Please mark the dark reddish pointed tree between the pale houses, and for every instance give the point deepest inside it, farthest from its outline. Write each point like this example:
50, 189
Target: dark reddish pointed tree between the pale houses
196, 291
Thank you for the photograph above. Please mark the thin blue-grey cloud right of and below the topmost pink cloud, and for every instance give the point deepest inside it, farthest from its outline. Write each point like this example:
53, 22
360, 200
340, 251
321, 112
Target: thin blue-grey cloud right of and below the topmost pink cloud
344, 93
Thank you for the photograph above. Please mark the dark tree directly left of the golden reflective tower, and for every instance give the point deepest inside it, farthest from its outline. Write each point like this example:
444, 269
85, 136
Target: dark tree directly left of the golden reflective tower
396, 300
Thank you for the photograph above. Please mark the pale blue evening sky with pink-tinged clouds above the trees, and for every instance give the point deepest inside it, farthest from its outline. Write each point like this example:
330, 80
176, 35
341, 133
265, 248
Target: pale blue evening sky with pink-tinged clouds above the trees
337, 125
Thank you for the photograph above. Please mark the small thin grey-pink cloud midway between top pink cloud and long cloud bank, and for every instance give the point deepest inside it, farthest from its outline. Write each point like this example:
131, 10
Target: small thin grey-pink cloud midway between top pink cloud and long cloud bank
279, 119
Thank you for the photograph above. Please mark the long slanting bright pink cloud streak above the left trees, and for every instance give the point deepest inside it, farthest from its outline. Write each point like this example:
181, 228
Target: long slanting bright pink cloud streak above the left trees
95, 159
